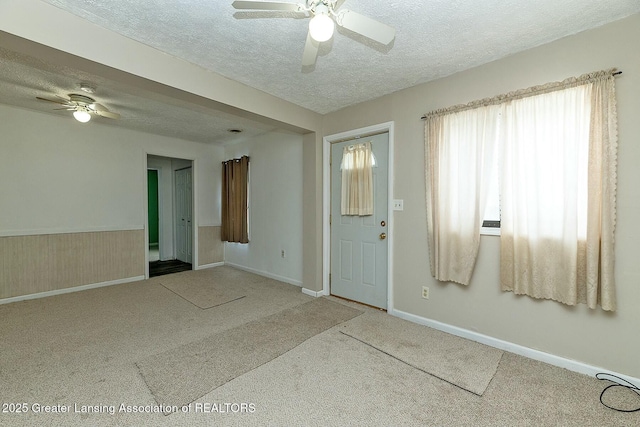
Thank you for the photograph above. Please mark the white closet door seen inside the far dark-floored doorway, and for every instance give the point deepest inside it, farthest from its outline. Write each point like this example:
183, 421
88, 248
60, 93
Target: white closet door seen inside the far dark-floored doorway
184, 215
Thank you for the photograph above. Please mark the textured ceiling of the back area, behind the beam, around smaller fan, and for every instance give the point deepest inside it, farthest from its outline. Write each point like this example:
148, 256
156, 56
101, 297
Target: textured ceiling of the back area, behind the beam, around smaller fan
24, 77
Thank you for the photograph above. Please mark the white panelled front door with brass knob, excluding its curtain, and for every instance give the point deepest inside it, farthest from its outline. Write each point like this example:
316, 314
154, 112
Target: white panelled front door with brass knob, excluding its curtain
358, 243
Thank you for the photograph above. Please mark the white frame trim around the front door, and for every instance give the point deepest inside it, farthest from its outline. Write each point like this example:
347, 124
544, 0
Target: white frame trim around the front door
326, 201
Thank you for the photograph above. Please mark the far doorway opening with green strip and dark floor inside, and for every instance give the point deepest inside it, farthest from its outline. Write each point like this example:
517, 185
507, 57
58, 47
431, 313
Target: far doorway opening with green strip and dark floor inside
169, 215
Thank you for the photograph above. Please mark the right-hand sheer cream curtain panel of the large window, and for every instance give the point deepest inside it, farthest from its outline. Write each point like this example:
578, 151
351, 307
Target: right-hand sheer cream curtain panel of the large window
558, 193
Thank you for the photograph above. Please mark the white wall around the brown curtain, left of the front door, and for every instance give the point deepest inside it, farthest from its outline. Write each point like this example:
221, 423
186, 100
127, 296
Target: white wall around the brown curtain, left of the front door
275, 221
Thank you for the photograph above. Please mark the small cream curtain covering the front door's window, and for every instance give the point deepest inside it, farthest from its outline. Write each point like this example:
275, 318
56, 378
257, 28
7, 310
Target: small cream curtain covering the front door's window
357, 180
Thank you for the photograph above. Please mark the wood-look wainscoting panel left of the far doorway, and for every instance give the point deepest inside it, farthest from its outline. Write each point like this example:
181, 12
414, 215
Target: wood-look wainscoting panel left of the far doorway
48, 262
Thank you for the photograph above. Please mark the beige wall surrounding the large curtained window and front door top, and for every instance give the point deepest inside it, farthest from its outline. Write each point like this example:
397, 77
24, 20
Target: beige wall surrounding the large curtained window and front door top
591, 336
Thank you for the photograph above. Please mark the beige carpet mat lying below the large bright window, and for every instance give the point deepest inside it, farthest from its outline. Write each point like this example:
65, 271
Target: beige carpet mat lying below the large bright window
463, 363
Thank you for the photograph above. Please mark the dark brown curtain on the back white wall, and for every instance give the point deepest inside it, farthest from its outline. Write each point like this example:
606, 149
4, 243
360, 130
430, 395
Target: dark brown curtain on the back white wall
235, 175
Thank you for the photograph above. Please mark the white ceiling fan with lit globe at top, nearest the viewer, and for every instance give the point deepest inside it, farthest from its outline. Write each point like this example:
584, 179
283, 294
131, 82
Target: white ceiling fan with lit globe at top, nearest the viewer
325, 16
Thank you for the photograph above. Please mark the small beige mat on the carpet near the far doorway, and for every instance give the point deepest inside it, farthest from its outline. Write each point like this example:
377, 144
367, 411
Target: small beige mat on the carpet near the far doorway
203, 290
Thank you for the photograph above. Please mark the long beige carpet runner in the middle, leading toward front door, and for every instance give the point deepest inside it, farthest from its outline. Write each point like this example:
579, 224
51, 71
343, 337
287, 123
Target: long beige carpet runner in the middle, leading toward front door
185, 373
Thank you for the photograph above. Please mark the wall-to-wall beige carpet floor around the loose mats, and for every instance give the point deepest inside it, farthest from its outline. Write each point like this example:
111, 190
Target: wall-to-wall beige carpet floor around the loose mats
82, 348
